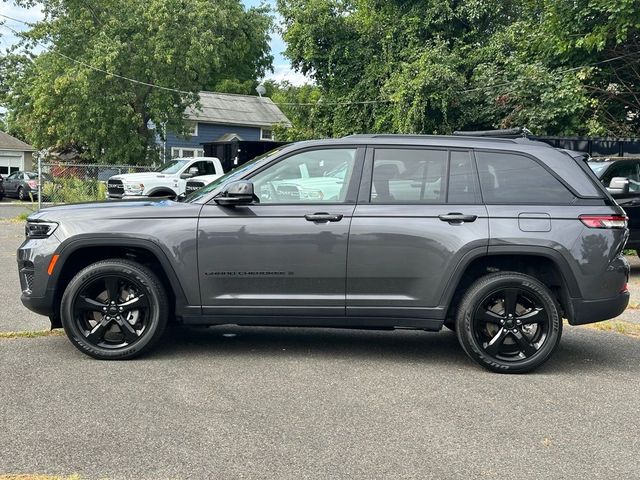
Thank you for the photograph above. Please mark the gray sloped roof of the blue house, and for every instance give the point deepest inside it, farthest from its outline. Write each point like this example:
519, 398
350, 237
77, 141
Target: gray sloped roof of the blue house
232, 109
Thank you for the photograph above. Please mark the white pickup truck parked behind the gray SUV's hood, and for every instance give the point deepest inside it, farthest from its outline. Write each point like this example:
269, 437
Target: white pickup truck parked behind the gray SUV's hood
169, 180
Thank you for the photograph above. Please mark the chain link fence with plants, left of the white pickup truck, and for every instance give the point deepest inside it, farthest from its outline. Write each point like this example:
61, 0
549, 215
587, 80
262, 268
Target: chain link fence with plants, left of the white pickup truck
74, 182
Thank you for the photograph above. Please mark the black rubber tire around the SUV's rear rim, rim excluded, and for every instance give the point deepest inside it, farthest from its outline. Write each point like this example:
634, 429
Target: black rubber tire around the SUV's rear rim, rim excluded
478, 292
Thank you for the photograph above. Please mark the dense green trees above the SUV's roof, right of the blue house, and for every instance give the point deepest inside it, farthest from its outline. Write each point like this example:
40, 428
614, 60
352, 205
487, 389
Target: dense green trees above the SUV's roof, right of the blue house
428, 66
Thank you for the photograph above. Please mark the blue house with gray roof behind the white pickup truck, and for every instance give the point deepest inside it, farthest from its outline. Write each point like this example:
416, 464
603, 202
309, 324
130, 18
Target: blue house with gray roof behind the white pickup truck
223, 117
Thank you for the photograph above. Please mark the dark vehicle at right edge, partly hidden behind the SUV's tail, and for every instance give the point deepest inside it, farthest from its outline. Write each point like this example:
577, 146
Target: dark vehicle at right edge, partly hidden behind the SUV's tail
622, 179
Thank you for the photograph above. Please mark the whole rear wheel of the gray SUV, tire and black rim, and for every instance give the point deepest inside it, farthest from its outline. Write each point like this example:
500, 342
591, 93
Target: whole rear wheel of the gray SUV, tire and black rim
509, 322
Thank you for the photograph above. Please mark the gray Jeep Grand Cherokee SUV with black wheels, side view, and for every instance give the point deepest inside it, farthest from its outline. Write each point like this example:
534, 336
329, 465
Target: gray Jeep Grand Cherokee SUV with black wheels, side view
497, 239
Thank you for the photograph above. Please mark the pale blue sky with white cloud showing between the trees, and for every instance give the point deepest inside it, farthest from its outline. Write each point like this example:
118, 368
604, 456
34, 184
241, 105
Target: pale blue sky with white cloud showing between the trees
281, 66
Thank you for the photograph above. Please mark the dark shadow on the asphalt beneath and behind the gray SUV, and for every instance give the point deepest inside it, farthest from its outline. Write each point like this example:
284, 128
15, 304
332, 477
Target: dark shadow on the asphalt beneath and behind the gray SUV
580, 351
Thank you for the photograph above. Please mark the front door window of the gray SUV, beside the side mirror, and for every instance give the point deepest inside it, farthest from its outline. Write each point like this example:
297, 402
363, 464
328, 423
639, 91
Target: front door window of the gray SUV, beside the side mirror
318, 176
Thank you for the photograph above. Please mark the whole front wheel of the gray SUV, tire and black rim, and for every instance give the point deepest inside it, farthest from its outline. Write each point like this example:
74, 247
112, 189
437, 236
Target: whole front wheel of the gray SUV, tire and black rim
114, 310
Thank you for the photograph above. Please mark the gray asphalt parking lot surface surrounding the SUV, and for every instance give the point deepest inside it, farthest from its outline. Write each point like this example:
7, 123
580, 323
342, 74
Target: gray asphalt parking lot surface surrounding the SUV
227, 402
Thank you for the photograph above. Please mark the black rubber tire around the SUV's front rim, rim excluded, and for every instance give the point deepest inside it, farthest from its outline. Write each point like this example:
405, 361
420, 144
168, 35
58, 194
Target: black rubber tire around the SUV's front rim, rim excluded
157, 310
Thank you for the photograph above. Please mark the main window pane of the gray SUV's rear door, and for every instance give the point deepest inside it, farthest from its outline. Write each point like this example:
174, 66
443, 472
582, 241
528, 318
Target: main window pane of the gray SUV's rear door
409, 176
